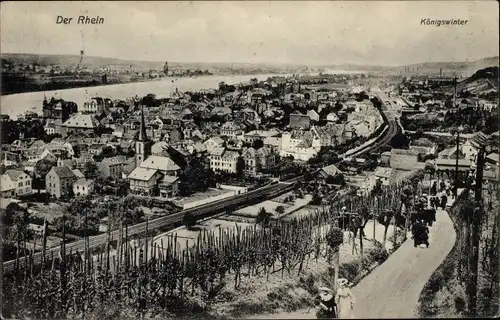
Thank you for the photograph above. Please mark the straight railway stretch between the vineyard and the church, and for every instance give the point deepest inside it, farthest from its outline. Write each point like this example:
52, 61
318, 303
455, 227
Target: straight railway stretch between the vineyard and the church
172, 220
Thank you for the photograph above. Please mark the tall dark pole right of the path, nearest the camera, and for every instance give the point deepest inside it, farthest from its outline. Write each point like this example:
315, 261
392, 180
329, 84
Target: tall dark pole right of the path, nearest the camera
476, 233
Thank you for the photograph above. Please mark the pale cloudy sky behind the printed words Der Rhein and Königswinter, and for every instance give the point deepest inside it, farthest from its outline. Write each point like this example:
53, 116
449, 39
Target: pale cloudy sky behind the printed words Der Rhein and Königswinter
308, 32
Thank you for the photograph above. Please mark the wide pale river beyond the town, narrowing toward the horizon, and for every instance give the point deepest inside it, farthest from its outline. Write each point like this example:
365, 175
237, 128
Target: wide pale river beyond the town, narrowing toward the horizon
15, 104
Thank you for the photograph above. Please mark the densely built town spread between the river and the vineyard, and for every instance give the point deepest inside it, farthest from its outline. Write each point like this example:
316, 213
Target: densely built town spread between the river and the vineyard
257, 152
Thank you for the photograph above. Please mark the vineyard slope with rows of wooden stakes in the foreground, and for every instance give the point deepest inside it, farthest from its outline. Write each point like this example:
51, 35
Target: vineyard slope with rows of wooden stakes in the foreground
163, 277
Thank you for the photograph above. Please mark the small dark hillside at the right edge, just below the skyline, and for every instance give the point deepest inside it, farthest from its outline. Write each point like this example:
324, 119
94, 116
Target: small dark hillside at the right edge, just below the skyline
482, 82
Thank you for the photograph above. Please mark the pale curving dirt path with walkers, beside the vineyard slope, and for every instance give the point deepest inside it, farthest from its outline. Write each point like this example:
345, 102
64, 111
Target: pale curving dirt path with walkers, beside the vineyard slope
392, 290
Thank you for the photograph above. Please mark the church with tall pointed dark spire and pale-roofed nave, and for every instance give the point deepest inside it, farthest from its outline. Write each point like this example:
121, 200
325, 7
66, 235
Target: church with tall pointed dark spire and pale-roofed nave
153, 175
